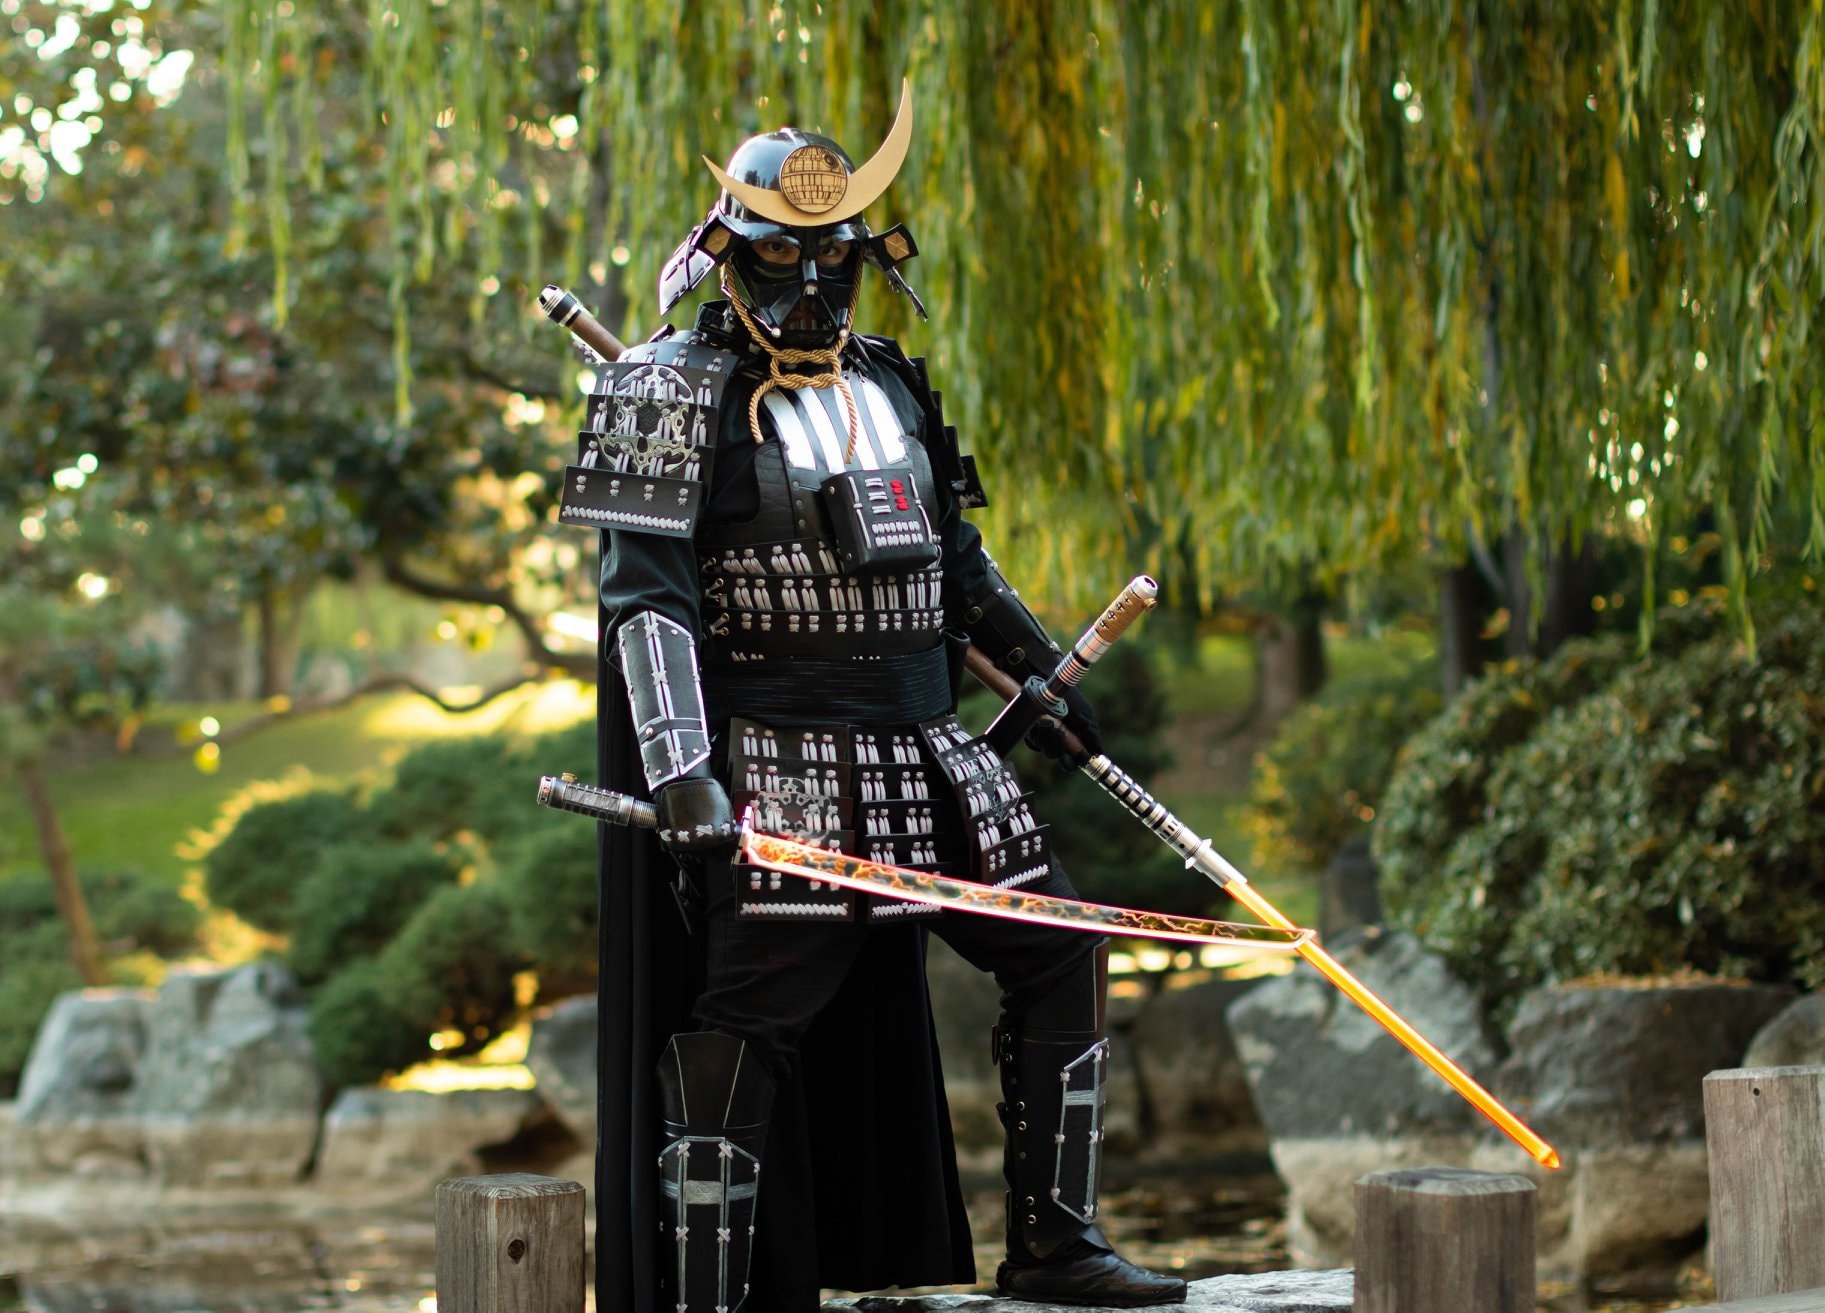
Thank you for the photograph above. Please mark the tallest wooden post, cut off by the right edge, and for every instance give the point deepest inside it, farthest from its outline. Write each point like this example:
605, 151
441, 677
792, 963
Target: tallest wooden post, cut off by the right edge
1766, 1137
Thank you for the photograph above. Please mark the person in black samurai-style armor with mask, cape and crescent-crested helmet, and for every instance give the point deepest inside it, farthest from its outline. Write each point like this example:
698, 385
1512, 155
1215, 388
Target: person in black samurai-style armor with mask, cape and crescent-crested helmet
787, 591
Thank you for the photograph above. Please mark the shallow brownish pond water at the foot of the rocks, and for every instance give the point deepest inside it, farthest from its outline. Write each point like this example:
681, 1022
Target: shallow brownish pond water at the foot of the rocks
280, 1265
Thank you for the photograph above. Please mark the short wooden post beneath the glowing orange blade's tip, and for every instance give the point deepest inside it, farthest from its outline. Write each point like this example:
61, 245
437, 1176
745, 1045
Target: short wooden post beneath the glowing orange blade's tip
1444, 1241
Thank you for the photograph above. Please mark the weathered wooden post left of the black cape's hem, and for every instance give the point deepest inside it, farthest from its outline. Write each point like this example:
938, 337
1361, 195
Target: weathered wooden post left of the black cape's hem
510, 1245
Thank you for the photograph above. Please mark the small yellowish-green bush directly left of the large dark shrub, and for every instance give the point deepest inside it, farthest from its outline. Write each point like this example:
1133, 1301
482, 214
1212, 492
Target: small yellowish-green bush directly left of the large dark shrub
1322, 779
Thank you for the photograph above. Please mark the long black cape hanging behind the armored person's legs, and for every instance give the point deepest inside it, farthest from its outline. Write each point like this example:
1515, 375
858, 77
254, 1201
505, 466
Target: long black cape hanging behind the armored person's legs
860, 1184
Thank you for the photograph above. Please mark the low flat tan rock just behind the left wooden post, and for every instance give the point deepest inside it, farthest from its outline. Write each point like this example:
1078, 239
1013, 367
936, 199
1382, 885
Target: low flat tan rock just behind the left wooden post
401, 1144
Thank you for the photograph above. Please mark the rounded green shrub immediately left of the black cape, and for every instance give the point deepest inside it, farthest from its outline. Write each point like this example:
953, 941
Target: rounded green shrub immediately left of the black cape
412, 912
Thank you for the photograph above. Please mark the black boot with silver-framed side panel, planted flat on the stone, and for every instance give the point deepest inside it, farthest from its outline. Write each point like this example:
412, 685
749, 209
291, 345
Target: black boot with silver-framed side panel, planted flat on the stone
1054, 1086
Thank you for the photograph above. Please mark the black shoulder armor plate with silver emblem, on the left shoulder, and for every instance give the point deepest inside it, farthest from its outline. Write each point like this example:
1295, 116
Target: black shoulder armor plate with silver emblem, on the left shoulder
643, 456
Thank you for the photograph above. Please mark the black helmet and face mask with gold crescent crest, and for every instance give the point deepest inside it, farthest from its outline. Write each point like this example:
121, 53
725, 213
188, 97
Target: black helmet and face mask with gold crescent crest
791, 235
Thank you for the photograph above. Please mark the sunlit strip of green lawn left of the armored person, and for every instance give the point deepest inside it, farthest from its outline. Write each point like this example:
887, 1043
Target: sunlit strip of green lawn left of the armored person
136, 814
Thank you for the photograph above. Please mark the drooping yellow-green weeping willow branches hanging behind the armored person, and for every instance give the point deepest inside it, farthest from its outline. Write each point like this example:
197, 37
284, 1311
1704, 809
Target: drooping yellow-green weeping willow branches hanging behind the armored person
1229, 291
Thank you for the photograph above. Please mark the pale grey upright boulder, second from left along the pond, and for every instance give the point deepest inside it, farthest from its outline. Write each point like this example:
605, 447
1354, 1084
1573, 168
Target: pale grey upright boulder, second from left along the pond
229, 1093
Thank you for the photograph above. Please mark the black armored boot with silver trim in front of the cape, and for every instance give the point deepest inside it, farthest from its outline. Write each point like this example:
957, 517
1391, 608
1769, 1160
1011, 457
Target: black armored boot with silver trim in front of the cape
714, 1100
